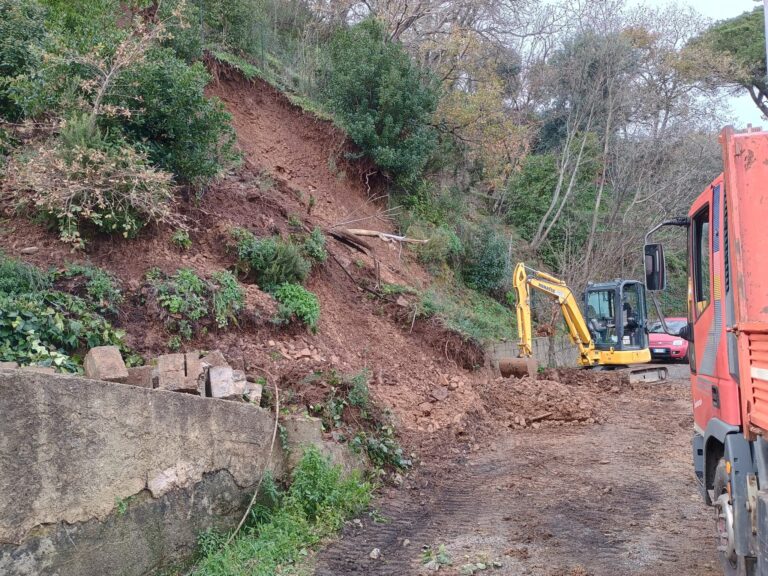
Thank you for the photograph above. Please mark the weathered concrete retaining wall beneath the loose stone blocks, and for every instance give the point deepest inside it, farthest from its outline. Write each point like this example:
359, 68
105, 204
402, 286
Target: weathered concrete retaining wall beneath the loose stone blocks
99, 478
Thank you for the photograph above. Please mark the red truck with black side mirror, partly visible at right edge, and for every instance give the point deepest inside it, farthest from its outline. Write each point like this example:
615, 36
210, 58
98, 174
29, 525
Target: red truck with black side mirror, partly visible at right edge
727, 232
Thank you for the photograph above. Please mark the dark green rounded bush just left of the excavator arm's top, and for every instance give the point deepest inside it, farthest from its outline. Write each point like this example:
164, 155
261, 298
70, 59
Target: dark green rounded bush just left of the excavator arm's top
484, 261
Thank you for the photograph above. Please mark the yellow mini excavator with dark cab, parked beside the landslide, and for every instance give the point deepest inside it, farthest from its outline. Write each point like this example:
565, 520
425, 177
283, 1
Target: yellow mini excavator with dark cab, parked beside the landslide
611, 333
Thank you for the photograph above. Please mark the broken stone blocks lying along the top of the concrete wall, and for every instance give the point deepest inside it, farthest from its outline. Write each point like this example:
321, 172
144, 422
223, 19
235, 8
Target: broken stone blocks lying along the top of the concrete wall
206, 375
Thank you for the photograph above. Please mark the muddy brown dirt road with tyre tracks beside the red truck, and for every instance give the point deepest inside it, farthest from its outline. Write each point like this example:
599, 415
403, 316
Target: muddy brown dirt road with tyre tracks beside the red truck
610, 499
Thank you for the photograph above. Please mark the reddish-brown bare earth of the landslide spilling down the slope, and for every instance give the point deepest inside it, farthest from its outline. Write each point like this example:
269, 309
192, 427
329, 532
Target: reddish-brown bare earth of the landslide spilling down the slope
295, 167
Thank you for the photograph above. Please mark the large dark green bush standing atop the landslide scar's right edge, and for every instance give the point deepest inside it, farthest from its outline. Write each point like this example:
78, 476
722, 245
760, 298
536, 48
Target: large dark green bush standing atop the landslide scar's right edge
382, 98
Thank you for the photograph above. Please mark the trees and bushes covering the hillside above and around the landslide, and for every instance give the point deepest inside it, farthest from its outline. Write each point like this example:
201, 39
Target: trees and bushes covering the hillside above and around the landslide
506, 132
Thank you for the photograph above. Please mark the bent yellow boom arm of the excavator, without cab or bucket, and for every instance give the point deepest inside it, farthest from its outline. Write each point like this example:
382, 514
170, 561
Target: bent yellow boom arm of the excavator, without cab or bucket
523, 280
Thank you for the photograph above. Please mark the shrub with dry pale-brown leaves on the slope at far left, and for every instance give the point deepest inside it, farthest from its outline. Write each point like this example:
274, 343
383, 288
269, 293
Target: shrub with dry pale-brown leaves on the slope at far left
110, 187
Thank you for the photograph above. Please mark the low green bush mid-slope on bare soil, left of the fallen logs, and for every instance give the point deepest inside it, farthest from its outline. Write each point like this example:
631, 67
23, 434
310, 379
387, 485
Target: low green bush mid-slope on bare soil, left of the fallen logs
271, 261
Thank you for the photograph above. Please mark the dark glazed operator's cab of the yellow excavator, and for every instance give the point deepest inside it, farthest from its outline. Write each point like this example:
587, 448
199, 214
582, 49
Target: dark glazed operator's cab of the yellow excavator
616, 315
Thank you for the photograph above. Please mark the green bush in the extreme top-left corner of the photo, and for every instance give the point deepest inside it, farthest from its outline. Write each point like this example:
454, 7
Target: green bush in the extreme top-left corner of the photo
22, 36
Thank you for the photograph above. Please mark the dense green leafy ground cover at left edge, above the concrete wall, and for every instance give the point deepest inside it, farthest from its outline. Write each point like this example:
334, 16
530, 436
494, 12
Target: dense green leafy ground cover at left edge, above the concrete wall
39, 325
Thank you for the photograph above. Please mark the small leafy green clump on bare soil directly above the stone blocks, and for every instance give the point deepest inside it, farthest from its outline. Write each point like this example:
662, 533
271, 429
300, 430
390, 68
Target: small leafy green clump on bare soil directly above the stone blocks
191, 304
